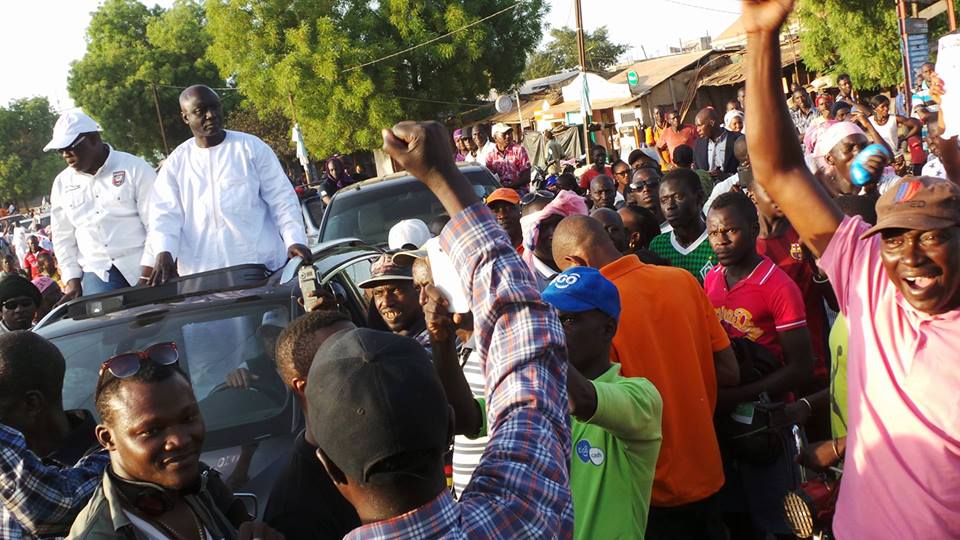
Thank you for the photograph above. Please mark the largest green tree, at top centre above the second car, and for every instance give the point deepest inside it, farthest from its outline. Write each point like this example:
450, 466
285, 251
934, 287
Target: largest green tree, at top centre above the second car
324, 53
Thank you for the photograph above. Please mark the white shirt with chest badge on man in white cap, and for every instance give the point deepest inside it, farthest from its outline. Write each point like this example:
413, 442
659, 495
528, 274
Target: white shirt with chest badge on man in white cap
100, 220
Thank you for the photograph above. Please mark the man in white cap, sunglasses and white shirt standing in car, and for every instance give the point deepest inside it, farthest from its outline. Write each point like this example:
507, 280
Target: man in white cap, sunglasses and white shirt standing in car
98, 210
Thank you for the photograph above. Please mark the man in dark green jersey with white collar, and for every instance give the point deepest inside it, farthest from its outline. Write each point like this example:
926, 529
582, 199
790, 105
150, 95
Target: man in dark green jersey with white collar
686, 246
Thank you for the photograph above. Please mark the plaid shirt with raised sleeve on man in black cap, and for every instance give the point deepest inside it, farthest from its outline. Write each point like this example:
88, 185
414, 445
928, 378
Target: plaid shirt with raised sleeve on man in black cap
521, 487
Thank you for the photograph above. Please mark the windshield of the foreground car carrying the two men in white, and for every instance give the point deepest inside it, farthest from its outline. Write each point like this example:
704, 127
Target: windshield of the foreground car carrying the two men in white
213, 342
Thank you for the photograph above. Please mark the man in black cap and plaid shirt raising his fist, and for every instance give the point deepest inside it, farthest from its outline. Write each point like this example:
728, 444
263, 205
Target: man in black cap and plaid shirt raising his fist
379, 415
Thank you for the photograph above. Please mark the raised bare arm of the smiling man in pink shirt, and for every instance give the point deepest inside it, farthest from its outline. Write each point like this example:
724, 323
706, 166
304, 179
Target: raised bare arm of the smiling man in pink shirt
775, 154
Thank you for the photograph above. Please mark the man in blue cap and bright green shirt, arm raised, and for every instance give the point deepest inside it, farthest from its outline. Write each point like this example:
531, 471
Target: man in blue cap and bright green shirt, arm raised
615, 423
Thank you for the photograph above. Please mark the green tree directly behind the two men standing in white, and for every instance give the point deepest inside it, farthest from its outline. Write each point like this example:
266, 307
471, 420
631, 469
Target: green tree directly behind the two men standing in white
130, 47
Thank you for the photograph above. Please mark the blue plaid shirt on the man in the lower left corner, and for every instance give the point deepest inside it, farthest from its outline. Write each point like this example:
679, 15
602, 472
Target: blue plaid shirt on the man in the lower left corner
44, 499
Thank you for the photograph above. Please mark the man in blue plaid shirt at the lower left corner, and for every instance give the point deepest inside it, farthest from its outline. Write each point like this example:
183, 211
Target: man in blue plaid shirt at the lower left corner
41, 496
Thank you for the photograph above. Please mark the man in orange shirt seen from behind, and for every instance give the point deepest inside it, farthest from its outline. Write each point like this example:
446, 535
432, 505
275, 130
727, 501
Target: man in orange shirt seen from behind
670, 334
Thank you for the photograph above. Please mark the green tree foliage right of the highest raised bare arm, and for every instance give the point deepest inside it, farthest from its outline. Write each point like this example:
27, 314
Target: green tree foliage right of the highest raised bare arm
859, 37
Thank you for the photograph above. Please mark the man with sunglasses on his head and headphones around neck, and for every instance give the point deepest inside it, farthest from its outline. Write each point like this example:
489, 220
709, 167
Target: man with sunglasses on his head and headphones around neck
155, 486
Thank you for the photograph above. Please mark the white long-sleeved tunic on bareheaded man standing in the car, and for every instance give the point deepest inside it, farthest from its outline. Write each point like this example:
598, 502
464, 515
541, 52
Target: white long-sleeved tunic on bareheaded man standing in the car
225, 205
